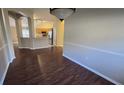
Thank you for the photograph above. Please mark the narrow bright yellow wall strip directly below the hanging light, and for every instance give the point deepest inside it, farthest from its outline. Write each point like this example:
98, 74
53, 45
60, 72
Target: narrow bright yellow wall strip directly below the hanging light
60, 33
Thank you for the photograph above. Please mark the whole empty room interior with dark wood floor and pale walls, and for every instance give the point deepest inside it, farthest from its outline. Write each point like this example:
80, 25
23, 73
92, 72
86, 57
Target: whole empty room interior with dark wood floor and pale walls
61, 46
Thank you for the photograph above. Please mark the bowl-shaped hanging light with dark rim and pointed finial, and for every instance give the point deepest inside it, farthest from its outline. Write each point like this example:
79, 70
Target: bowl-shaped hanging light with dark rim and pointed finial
62, 13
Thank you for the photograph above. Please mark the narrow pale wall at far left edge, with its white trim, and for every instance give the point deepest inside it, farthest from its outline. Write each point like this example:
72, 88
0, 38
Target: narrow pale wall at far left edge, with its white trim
6, 48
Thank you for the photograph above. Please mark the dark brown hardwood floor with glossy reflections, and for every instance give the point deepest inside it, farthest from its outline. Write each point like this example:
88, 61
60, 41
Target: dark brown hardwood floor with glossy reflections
48, 66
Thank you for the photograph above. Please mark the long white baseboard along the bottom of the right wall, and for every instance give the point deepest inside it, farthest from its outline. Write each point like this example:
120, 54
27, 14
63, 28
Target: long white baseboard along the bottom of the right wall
94, 71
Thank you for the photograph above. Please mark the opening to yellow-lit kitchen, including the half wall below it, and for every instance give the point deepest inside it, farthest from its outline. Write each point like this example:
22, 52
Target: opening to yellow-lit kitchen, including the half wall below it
44, 33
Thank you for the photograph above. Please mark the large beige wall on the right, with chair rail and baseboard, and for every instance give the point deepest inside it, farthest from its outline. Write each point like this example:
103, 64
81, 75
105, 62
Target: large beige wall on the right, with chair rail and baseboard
94, 38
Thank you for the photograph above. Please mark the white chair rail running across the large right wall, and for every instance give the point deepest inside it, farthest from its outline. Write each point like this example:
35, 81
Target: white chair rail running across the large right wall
96, 49
